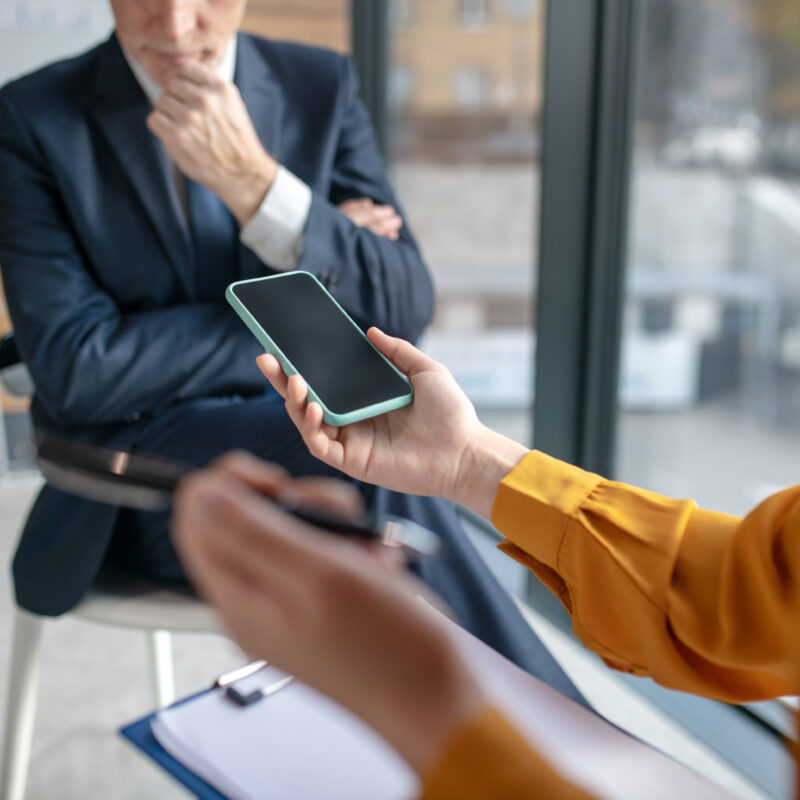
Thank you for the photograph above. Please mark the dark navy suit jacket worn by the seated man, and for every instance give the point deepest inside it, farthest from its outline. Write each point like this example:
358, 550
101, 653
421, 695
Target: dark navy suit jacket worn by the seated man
98, 268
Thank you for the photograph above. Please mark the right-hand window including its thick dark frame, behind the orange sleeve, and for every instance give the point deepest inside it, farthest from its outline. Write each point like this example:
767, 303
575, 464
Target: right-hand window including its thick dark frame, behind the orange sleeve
697, 101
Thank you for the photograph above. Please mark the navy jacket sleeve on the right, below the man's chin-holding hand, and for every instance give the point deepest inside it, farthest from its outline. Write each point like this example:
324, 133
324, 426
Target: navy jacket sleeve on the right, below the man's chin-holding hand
379, 281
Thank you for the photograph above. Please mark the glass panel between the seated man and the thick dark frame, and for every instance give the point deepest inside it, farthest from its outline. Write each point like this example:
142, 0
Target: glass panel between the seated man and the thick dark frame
466, 91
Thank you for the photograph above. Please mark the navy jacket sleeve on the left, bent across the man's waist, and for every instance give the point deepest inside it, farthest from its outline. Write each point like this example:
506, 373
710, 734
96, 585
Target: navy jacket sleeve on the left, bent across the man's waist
91, 362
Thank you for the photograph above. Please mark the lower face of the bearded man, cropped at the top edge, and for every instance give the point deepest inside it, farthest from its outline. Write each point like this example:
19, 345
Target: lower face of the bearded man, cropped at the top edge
164, 35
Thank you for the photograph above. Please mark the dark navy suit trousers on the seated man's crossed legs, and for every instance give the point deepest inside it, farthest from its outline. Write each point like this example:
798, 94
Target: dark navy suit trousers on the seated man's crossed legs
199, 431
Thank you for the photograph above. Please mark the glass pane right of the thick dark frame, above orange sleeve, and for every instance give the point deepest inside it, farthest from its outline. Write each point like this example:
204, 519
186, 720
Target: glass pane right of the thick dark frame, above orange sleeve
709, 395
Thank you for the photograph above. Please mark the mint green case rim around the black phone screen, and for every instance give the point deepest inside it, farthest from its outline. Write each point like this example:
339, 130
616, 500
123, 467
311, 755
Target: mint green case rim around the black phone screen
269, 346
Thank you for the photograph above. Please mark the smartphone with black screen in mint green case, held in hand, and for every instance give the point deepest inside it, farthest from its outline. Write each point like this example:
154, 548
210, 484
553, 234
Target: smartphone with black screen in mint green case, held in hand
295, 318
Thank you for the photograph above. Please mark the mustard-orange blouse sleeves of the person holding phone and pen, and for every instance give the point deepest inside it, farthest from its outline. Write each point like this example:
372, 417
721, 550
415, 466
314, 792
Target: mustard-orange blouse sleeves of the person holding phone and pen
699, 601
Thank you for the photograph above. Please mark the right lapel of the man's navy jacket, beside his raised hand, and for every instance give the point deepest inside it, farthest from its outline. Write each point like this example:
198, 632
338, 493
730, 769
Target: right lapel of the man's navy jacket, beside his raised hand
263, 99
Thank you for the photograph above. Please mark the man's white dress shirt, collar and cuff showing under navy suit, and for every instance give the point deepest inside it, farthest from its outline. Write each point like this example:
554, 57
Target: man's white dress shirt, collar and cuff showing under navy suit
276, 231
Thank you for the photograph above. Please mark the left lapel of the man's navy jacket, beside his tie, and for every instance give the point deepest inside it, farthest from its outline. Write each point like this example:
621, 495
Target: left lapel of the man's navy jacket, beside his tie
119, 110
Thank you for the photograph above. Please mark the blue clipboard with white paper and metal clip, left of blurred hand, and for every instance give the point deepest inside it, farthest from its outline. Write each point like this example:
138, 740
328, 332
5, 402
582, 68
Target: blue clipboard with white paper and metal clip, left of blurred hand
291, 742
